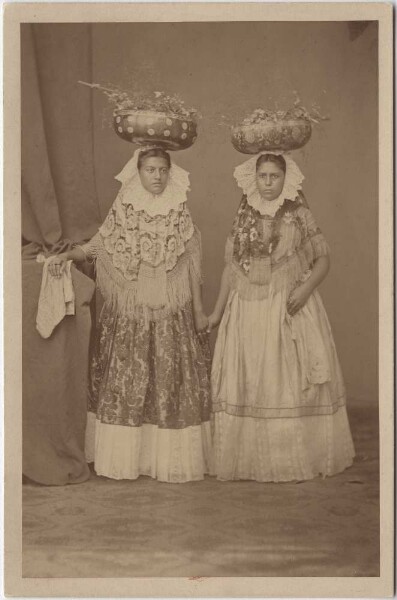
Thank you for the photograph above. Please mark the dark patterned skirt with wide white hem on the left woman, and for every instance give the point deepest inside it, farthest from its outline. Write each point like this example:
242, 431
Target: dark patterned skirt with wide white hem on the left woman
150, 394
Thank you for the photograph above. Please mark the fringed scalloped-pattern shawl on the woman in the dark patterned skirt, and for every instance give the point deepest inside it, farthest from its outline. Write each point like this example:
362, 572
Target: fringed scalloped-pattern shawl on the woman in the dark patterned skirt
148, 273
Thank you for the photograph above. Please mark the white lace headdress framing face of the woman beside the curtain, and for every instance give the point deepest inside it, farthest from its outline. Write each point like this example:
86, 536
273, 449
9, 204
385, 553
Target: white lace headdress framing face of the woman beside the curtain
132, 191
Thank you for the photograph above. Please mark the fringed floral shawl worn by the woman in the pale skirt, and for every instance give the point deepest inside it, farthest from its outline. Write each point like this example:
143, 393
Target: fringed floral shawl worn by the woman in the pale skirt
280, 251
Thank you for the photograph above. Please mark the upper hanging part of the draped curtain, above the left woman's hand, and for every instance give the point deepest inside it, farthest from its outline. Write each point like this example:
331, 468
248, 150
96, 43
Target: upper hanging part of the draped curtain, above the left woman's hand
59, 199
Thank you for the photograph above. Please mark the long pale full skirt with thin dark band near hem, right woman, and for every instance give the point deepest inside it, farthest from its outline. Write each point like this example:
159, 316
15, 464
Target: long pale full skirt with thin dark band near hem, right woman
278, 393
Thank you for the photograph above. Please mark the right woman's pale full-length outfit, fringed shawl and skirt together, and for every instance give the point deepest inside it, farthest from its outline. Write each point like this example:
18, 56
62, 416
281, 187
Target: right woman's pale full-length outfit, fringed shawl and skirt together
279, 399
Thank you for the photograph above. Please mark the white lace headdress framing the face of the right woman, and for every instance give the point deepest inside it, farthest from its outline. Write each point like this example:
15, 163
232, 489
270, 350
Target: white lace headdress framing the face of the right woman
245, 175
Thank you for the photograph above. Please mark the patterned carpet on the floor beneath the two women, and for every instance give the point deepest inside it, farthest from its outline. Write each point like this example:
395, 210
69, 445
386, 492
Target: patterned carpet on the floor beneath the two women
105, 528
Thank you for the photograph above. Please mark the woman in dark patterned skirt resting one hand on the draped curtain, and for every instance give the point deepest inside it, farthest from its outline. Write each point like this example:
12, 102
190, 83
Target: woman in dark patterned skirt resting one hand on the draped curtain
149, 409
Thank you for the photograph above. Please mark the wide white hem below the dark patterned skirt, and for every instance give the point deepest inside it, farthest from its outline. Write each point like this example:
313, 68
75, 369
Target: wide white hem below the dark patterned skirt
168, 455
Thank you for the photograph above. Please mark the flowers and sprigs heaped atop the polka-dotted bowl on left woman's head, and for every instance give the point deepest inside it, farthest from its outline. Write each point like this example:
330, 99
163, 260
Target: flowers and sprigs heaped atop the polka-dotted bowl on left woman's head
157, 101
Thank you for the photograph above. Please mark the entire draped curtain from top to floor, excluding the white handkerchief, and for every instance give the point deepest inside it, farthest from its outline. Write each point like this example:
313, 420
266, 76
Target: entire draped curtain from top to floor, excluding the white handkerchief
59, 206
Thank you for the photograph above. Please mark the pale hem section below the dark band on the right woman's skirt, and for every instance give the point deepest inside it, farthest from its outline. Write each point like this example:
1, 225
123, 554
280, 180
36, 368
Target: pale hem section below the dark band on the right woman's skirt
275, 450
